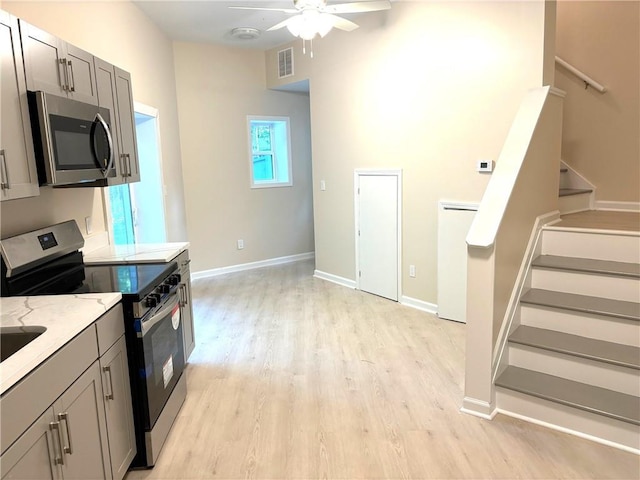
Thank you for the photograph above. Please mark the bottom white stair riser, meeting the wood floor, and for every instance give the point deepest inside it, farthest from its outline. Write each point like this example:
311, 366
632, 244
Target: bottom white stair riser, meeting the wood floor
595, 427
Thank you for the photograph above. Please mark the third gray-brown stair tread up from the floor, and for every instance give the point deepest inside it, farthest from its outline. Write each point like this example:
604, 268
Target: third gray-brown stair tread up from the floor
583, 303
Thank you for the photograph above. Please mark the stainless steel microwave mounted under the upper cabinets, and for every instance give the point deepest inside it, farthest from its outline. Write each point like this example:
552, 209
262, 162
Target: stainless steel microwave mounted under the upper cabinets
72, 140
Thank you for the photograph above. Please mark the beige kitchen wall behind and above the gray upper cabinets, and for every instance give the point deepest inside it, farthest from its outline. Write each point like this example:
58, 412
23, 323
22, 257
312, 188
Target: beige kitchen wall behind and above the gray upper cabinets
119, 33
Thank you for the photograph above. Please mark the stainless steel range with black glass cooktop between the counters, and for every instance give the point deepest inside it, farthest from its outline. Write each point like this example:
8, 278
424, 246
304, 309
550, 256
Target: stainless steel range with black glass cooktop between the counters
48, 262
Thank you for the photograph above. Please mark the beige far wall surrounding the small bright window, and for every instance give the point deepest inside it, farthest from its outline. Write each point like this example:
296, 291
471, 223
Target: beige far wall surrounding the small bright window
217, 88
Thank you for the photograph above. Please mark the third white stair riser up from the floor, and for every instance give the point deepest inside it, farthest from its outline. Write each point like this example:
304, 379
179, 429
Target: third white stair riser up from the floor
626, 332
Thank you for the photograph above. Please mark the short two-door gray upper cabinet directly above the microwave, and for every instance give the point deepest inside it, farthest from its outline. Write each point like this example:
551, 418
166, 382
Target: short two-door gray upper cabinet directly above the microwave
56, 67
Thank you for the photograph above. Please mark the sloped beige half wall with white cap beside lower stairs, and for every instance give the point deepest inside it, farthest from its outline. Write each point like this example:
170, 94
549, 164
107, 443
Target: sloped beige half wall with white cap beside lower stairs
523, 186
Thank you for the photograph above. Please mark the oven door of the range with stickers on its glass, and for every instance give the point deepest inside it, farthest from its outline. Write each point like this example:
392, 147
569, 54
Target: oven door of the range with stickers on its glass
162, 360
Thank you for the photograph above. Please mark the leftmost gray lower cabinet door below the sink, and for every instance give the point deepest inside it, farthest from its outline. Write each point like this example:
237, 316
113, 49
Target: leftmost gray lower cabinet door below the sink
33, 456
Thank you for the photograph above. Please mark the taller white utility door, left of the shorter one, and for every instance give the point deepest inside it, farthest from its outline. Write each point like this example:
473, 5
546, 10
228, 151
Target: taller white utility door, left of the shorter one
377, 233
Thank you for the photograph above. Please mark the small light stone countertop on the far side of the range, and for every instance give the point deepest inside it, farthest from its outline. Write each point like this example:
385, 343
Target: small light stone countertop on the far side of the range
135, 253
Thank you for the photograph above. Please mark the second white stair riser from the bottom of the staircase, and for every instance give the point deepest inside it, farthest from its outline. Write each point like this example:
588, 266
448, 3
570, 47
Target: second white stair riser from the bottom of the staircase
599, 374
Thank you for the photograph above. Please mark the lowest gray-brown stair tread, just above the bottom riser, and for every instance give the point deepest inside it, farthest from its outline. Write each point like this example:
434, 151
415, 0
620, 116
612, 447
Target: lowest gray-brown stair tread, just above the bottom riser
602, 401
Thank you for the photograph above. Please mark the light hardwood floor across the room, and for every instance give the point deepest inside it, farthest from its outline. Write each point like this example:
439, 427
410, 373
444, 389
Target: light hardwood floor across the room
297, 378
